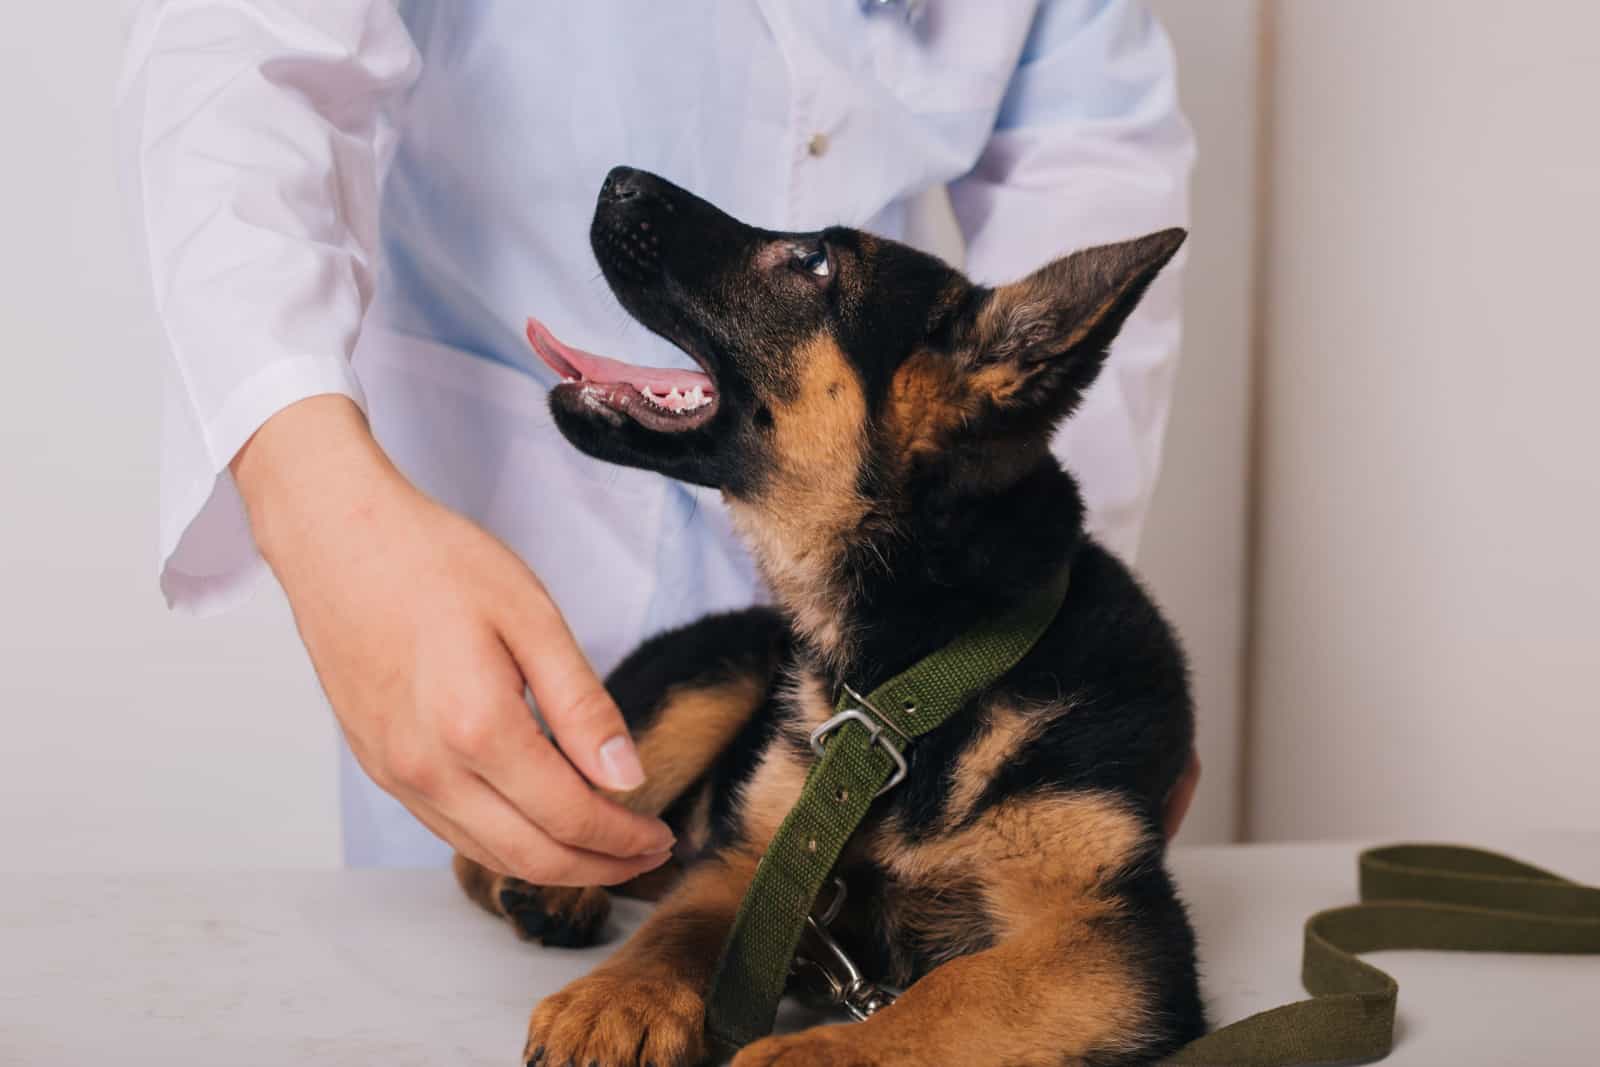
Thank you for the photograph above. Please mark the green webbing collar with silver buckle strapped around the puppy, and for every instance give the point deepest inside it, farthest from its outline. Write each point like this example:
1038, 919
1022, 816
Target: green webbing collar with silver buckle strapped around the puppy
860, 757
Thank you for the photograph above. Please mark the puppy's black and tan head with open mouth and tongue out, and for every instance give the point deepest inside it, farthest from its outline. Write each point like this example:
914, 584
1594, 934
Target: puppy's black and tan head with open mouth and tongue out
839, 370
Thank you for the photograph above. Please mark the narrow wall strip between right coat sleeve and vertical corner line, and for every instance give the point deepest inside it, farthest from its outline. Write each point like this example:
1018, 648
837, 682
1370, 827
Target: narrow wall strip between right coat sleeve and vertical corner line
1194, 541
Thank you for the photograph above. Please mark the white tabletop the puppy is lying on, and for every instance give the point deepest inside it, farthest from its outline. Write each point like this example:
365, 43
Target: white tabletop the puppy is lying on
398, 970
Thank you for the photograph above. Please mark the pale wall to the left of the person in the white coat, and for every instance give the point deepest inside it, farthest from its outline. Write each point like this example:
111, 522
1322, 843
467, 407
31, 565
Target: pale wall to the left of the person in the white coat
130, 738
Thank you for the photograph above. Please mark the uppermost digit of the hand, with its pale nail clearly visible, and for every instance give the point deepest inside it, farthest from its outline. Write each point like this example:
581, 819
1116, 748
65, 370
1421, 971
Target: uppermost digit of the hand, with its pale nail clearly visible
575, 705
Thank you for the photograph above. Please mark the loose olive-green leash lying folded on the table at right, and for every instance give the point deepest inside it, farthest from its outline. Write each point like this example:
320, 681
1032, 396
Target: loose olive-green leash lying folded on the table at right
1414, 897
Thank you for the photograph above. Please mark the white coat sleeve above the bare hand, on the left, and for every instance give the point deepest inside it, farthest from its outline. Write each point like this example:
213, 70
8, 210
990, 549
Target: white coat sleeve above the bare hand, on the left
252, 146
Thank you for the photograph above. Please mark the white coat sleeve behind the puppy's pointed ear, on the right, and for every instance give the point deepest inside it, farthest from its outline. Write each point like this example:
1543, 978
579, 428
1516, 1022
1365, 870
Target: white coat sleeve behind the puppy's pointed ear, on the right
1090, 148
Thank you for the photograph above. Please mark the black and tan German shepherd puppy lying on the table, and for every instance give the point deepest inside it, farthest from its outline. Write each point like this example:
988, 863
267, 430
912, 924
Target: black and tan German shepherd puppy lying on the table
881, 430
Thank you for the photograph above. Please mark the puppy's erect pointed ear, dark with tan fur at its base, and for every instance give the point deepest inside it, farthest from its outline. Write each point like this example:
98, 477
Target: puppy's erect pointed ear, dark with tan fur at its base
1039, 343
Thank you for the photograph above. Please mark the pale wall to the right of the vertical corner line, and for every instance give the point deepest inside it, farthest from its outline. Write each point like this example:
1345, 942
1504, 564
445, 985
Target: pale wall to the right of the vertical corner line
1428, 615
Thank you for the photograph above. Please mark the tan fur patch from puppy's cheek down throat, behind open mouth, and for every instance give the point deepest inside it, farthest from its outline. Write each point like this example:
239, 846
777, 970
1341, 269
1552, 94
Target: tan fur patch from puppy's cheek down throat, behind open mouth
810, 508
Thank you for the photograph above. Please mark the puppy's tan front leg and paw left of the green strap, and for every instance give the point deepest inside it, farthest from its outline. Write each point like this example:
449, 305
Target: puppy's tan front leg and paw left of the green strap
647, 1004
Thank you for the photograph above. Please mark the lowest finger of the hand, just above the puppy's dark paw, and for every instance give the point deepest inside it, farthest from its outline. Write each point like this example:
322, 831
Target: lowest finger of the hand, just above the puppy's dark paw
530, 853
